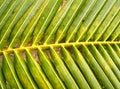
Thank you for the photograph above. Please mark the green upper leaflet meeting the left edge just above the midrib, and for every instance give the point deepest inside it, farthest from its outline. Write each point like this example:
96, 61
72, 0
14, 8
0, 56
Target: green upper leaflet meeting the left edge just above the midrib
4, 34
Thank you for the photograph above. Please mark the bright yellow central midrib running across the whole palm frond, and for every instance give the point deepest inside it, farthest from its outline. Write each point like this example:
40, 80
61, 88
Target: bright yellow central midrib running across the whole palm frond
66, 44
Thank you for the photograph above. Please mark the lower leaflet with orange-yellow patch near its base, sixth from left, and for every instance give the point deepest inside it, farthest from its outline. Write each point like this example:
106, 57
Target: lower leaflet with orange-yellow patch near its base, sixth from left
82, 83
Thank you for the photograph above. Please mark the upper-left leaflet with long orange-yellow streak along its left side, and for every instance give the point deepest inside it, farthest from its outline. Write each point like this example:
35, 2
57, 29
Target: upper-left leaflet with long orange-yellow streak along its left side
26, 36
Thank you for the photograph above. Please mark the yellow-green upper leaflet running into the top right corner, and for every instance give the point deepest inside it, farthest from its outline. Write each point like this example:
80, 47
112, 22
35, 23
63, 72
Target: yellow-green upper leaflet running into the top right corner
99, 32
